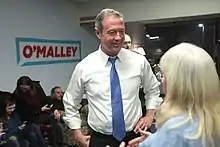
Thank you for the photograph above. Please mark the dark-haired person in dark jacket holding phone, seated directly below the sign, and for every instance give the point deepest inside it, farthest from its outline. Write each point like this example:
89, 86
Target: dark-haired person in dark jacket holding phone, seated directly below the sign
31, 102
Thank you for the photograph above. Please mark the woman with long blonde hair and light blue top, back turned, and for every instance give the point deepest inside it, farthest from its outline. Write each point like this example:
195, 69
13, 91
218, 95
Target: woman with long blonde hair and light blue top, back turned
190, 114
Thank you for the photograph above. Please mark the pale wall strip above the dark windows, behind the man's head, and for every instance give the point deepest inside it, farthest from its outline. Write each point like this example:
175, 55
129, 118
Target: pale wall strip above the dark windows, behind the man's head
139, 10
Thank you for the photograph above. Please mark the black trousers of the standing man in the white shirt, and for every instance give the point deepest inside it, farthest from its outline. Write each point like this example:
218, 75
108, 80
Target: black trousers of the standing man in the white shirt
101, 140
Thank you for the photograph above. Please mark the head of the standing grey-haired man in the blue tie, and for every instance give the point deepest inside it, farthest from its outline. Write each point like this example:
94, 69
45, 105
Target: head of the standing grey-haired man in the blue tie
110, 30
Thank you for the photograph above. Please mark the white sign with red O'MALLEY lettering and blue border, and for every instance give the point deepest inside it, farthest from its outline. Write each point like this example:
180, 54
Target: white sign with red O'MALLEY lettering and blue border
35, 51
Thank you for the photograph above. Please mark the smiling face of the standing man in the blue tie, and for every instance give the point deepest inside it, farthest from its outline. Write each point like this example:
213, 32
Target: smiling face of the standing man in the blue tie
112, 35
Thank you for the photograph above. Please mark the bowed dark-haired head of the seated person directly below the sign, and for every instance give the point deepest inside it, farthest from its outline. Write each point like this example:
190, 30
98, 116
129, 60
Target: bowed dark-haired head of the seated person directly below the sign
24, 84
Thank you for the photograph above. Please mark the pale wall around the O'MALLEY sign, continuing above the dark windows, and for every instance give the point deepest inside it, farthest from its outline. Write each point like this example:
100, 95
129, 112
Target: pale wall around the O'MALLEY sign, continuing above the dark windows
59, 19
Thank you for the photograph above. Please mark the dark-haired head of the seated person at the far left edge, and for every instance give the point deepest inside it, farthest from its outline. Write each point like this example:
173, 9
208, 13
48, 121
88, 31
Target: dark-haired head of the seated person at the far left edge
7, 104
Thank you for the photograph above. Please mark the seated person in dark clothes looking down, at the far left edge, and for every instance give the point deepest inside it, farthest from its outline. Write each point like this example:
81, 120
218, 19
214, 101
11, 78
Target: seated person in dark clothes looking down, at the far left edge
16, 132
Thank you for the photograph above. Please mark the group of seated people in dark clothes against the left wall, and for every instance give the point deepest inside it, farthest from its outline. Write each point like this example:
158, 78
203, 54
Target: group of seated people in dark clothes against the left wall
25, 110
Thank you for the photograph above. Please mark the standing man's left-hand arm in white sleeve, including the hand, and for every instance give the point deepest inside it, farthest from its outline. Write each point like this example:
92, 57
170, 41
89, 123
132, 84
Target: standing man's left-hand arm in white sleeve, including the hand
71, 100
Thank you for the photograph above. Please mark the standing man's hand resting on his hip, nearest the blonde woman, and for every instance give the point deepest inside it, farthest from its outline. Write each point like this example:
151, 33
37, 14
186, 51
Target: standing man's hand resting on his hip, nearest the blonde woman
145, 122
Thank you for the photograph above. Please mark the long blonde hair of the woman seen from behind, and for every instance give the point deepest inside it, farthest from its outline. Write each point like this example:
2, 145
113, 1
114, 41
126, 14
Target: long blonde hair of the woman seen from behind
192, 87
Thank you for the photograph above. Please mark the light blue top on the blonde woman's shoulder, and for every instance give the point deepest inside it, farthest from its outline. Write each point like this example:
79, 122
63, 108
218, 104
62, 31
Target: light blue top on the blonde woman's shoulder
174, 132
